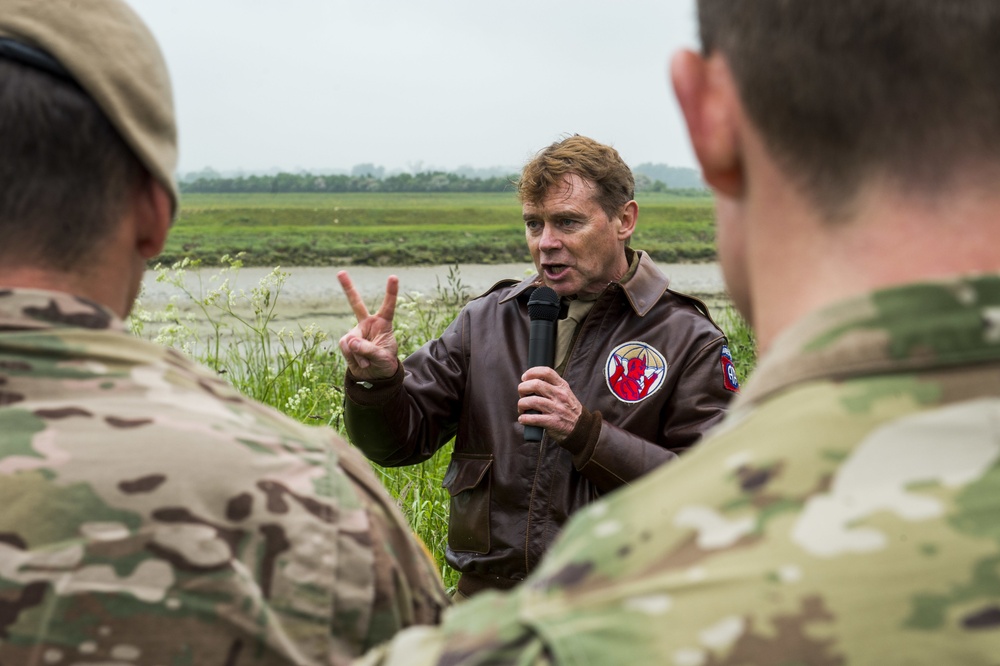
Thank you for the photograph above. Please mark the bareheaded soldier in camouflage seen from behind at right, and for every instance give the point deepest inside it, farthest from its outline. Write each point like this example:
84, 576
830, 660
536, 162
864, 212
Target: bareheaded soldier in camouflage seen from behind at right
848, 509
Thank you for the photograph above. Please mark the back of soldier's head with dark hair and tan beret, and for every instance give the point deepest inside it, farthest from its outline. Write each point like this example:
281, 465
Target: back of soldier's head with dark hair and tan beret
78, 134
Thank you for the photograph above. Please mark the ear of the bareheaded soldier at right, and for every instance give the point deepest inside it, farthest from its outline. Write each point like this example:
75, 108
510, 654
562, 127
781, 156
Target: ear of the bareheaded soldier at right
709, 100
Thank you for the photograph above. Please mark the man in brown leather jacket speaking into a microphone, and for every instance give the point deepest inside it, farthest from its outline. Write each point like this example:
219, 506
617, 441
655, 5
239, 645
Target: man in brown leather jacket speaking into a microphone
641, 372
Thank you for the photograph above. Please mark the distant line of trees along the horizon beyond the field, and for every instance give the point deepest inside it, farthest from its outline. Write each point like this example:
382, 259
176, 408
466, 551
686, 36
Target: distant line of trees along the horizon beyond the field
428, 181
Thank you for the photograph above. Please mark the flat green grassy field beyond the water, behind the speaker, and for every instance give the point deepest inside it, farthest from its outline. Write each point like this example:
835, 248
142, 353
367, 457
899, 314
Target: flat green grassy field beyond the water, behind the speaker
391, 229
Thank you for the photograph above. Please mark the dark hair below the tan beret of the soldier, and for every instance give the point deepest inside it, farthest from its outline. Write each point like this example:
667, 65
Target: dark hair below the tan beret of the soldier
65, 173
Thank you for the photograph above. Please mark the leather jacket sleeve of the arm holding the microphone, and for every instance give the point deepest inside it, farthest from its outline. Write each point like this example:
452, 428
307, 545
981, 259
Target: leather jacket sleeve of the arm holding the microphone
612, 457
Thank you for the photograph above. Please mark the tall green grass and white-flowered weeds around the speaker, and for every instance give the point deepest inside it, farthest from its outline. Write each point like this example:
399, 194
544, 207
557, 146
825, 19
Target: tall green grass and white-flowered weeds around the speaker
301, 372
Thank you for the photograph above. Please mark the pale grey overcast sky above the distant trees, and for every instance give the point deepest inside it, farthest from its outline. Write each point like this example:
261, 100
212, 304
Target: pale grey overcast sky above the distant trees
419, 84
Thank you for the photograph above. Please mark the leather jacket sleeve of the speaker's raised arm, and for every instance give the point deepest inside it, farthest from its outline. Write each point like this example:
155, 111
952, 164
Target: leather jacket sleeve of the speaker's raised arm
403, 420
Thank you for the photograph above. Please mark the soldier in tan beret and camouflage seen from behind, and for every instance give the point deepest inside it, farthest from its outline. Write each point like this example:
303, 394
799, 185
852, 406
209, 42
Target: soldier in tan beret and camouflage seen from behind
150, 514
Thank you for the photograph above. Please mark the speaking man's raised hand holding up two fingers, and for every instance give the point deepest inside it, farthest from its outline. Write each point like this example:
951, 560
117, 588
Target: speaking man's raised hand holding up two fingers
370, 348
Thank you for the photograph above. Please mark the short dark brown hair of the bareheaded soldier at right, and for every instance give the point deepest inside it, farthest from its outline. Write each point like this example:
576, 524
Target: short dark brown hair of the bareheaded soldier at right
844, 91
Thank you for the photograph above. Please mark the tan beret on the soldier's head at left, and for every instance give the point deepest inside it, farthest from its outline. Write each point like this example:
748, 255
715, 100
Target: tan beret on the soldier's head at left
114, 57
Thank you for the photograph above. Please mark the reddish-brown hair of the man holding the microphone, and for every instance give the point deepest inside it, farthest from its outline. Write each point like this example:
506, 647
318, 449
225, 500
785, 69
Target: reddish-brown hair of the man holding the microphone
584, 157
